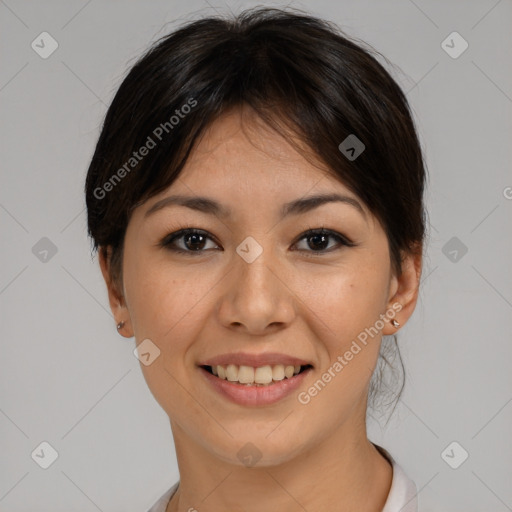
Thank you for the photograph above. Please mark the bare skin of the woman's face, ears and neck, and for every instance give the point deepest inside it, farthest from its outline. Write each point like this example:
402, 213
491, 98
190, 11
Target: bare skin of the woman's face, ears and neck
196, 306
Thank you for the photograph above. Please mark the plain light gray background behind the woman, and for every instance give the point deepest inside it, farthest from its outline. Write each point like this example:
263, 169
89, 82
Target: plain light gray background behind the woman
69, 379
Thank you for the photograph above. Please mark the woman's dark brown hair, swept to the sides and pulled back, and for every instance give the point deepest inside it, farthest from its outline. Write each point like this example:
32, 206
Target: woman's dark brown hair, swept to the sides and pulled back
301, 75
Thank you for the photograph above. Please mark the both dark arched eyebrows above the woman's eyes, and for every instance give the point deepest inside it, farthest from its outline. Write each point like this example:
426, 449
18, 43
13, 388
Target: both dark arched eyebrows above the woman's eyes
212, 207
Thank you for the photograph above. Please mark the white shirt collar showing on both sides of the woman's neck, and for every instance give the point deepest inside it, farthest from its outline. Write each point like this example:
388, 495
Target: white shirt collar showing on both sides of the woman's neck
402, 495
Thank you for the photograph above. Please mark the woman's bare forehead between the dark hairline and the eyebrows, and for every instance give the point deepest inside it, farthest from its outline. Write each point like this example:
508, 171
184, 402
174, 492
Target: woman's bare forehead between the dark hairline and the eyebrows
239, 147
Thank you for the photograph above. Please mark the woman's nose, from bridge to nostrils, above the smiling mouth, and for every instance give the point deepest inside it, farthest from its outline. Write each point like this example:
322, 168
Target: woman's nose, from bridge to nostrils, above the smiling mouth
257, 298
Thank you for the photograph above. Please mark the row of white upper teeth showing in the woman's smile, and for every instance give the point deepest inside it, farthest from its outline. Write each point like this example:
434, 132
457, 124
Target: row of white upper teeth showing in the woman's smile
263, 375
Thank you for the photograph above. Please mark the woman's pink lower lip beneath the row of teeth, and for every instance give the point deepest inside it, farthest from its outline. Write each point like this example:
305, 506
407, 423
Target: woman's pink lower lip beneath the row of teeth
255, 395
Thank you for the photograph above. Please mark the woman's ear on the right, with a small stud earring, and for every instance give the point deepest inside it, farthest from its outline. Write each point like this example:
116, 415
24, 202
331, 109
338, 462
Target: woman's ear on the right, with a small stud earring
404, 290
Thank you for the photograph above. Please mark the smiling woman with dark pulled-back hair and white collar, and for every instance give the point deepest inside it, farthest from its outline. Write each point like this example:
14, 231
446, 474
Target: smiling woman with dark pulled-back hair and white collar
256, 197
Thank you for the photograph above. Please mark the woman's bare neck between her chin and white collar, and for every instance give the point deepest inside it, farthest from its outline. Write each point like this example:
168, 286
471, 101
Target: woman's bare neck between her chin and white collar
350, 473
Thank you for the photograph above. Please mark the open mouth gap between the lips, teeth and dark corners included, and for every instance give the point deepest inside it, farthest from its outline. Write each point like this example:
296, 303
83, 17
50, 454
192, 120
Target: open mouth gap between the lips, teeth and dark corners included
262, 376
